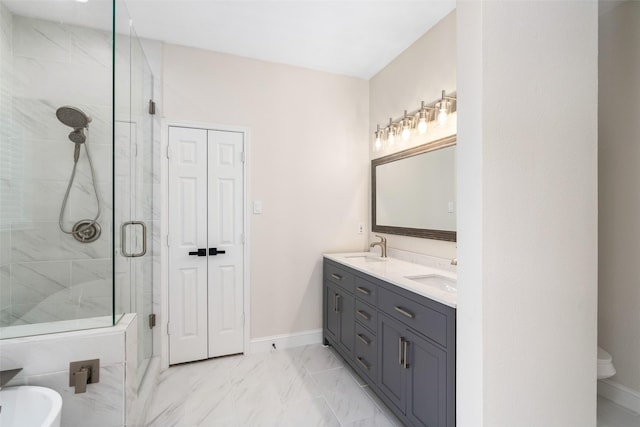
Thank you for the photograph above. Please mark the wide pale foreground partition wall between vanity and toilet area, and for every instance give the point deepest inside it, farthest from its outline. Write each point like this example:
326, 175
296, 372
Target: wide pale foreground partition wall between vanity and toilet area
528, 149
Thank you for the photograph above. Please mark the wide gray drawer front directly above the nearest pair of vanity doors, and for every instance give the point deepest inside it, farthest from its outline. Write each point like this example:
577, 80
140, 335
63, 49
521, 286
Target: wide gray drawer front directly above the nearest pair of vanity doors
424, 320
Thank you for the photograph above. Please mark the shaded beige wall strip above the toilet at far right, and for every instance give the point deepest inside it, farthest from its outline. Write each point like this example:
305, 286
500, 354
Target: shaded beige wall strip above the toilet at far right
619, 191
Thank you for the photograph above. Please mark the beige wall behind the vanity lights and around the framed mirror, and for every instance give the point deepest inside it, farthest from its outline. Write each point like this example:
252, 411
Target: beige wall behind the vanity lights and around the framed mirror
420, 73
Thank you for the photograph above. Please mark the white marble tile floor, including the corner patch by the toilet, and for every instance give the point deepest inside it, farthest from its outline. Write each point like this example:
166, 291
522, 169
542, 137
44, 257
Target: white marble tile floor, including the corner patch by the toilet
302, 386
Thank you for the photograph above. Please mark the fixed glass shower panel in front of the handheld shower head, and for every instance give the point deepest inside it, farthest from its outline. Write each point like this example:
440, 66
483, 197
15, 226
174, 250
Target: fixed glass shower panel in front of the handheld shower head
56, 246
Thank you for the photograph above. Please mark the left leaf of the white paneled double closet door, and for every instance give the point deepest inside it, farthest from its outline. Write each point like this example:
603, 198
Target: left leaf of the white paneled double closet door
188, 334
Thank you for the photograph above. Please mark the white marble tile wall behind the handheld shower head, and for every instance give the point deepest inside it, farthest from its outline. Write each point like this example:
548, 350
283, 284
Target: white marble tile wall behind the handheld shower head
46, 275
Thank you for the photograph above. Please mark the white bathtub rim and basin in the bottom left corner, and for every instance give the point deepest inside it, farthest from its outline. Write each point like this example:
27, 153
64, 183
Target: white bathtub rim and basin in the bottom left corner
27, 406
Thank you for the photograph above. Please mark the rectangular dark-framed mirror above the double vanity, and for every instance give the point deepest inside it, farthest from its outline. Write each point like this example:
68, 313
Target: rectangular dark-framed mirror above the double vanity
413, 192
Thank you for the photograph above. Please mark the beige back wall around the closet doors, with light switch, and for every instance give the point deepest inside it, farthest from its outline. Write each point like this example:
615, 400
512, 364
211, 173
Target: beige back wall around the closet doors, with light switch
307, 164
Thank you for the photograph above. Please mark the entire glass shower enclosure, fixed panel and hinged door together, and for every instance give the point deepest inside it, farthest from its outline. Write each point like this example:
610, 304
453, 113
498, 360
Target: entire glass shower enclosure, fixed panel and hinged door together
79, 170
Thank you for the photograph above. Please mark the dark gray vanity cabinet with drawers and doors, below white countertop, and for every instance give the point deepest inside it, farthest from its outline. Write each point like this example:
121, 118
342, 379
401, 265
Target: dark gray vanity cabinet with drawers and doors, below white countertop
404, 345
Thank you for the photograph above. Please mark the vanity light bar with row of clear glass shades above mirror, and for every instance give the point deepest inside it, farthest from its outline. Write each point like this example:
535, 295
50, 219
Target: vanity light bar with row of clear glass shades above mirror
418, 119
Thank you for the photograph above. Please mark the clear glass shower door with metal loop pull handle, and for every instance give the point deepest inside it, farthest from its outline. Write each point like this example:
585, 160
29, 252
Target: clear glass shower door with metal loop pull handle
134, 181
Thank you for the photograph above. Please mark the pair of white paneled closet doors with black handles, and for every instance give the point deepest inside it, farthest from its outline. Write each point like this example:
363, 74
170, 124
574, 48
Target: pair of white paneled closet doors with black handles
206, 232
